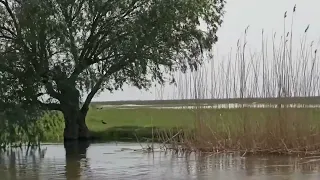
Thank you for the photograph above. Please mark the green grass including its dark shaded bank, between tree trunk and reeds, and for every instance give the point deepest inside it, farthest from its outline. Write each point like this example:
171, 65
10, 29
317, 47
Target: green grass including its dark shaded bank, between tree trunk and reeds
130, 124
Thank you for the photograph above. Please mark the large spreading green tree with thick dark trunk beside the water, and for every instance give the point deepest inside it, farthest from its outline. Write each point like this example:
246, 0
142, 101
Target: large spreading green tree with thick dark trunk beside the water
63, 49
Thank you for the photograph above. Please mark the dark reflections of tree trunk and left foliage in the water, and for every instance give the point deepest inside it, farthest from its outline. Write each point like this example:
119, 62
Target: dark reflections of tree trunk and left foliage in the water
25, 164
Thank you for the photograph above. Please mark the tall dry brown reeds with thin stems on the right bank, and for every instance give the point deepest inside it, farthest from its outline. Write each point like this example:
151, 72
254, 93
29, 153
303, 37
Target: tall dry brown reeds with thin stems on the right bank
278, 70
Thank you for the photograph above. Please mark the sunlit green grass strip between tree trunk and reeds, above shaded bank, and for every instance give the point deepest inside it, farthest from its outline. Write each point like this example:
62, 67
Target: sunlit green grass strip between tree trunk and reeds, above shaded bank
142, 117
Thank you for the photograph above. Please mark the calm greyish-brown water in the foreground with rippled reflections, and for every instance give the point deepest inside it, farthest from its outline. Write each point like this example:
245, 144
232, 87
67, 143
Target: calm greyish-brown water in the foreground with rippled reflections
112, 161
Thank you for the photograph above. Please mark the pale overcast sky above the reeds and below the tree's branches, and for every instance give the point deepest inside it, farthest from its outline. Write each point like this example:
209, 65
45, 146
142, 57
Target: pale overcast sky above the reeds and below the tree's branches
267, 14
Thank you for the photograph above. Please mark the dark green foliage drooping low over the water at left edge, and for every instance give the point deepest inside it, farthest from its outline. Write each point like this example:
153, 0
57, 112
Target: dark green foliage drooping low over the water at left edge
18, 118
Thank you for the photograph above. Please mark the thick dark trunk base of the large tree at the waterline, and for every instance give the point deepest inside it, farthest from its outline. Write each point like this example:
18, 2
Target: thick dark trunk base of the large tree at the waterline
75, 125
